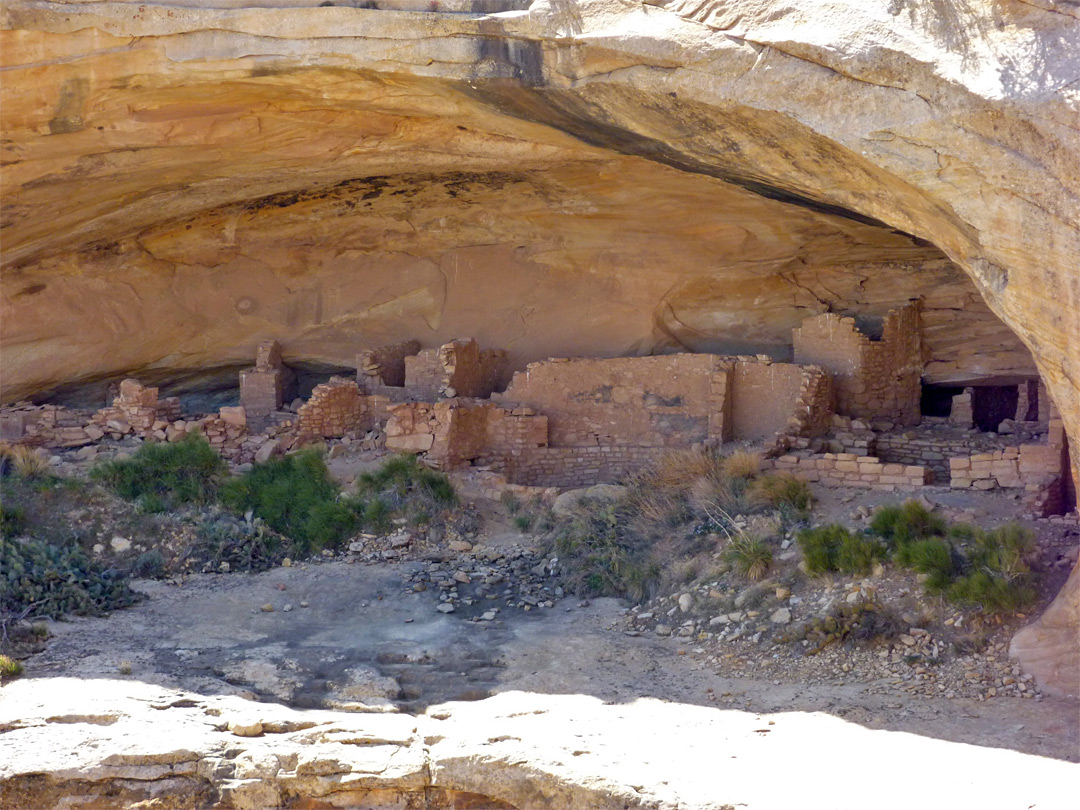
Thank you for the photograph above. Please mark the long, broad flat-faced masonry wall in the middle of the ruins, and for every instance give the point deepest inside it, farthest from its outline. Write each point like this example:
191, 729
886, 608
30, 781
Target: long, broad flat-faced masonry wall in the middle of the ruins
669, 401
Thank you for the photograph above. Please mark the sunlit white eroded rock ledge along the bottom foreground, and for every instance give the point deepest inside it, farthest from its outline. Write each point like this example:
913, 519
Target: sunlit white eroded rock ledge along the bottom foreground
115, 745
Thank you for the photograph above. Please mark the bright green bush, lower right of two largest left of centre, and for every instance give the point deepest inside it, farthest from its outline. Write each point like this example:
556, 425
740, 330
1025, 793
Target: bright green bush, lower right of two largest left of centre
296, 496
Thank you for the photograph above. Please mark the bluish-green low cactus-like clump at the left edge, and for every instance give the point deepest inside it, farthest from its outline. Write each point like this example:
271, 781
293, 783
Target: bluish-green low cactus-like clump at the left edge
53, 580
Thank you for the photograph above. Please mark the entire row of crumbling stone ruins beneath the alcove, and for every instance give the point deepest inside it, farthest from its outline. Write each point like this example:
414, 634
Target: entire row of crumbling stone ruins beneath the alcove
847, 413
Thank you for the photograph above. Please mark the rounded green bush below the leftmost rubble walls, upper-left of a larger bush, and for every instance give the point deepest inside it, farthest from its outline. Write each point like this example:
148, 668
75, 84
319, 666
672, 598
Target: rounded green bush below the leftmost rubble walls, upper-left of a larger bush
165, 476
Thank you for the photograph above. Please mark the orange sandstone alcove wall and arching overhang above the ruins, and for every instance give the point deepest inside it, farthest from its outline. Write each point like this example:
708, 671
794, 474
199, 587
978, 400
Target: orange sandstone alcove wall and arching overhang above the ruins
184, 181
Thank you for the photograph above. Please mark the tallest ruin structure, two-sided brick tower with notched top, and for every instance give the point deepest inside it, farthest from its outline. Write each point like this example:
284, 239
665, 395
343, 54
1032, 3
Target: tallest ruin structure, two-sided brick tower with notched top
875, 380
